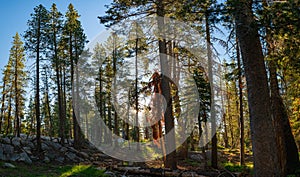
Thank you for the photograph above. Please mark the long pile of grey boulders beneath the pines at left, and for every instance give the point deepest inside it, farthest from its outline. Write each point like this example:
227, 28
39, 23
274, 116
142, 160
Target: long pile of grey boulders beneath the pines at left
21, 149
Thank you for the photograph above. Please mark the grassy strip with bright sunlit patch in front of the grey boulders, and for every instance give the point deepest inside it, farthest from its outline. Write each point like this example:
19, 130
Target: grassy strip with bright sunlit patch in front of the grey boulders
50, 170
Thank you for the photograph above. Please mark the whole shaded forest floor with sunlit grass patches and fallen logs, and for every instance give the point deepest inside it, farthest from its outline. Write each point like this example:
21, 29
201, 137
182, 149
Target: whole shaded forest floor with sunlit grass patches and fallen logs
228, 166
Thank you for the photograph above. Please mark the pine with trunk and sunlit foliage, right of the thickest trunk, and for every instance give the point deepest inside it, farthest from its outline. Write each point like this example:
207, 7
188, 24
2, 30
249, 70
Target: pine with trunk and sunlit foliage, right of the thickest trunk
287, 149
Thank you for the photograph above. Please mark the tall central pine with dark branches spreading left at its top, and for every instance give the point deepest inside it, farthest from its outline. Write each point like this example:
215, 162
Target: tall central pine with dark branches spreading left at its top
117, 12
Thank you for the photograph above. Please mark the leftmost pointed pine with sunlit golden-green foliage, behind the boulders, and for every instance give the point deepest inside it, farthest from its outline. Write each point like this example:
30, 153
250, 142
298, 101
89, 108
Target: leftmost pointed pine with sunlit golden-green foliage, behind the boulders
13, 89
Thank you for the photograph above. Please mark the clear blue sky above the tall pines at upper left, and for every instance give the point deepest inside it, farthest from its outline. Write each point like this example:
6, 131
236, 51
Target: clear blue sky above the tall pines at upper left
14, 15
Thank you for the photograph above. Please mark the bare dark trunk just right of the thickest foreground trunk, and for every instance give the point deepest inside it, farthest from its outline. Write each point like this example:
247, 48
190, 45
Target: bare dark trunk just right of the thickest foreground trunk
287, 148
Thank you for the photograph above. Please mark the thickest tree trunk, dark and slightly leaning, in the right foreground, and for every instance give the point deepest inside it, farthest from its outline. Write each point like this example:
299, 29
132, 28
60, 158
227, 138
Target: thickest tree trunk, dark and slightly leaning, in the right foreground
263, 135
